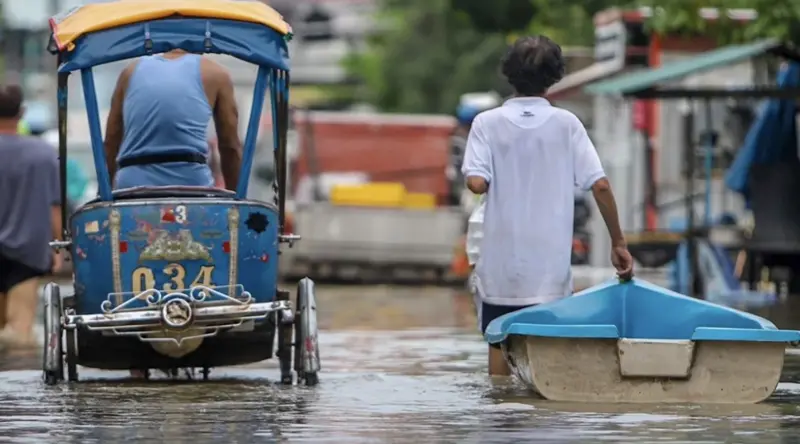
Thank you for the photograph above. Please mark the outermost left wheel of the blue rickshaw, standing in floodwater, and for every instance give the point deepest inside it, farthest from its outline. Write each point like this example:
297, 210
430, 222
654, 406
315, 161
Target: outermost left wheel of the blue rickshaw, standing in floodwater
53, 359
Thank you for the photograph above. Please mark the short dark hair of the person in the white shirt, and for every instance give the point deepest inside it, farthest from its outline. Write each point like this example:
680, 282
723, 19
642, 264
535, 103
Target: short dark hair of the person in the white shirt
533, 64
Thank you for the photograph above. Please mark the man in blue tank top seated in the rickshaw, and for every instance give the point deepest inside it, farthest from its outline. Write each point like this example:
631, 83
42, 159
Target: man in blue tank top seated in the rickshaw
160, 112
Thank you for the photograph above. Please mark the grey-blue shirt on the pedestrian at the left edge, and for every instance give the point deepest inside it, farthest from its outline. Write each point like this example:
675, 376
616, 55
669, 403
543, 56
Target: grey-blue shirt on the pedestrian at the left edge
29, 187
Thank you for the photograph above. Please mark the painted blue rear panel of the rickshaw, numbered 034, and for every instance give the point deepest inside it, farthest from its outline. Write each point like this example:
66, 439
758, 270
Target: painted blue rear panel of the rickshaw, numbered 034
171, 245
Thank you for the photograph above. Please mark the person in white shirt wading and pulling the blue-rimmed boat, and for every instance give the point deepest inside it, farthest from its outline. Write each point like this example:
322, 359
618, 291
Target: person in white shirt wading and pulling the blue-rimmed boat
527, 156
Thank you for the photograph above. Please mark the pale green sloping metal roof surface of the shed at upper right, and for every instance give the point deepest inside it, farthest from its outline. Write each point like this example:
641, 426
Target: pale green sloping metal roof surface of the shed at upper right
646, 79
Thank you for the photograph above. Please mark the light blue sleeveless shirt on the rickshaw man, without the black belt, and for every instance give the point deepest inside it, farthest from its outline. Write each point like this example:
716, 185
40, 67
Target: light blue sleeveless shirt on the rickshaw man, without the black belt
165, 111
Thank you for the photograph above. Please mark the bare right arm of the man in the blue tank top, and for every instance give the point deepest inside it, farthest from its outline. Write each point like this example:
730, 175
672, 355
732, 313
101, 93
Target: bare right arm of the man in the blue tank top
226, 121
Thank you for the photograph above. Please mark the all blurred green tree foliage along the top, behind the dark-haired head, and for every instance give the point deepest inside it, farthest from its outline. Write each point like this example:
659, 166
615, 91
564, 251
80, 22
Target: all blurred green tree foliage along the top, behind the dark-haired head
432, 51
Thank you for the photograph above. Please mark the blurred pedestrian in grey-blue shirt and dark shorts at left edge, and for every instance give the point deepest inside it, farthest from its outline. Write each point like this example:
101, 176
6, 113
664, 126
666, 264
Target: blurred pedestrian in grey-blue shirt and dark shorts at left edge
30, 217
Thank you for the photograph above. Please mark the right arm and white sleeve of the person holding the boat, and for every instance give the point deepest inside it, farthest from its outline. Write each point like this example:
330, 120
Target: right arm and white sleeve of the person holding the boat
589, 175
